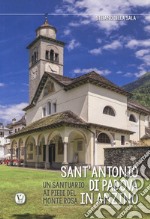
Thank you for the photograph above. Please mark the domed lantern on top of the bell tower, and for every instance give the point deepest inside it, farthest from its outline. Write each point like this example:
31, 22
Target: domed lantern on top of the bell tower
46, 30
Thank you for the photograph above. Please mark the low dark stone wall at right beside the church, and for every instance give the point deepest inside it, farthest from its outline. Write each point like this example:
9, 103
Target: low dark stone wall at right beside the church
128, 157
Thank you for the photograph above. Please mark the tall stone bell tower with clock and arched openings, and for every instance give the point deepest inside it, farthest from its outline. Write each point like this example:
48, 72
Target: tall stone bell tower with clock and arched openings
45, 55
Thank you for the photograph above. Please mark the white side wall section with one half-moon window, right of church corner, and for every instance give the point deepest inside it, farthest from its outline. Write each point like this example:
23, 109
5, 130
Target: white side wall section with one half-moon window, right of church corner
99, 98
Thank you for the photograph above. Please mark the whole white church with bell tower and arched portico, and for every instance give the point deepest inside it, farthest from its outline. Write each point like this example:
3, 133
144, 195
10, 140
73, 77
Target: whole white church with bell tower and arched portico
71, 120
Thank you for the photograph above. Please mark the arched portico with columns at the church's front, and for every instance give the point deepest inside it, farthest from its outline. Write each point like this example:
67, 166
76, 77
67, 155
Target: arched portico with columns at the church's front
53, 148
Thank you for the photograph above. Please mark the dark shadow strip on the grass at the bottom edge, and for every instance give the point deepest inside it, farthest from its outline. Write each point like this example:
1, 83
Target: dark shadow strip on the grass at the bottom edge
32, 216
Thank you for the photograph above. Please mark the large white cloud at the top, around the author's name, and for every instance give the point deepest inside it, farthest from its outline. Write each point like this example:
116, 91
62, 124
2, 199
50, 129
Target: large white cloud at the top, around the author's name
102, 7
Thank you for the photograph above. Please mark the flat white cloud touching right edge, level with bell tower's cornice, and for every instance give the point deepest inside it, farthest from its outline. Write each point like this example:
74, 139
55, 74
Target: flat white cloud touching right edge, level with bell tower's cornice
133, 43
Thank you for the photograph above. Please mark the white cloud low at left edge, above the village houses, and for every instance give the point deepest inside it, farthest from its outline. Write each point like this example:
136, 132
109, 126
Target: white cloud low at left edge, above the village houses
8, 112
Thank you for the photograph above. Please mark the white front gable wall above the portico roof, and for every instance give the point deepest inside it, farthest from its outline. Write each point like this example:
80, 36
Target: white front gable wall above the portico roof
74, 100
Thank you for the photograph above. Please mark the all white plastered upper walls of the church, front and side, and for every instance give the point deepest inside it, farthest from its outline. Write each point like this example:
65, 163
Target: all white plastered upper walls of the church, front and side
88, 101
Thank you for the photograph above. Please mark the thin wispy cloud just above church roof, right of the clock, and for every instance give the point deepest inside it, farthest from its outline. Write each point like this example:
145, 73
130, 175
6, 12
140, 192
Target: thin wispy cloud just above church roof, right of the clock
87, 70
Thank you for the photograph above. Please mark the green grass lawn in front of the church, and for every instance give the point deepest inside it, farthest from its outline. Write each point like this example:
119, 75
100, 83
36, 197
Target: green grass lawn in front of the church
30, 182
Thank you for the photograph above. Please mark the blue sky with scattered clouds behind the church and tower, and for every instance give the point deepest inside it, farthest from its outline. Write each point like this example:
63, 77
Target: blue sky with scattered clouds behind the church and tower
119, 50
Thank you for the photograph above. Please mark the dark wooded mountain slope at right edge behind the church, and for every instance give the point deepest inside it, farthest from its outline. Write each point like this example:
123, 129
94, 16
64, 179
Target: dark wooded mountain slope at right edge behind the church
140, 89
